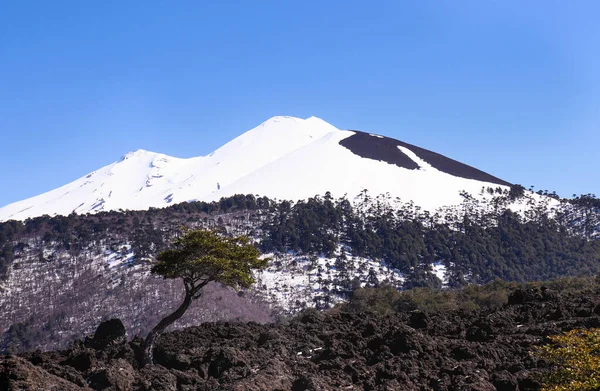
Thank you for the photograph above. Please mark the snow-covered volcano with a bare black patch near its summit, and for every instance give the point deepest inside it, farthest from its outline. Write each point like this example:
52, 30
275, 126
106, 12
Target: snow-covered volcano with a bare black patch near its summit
284, 158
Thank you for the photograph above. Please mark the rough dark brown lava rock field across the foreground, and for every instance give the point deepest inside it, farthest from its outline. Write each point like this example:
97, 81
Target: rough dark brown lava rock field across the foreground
478, 351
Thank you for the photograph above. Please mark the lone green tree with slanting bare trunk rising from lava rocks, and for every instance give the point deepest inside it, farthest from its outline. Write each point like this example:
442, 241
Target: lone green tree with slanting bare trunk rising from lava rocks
199, 257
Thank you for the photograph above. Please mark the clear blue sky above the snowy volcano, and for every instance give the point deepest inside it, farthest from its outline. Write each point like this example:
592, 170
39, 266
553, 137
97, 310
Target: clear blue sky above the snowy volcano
511, 87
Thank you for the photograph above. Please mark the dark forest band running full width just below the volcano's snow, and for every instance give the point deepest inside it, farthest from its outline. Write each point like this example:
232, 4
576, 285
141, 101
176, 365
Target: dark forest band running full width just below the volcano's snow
477, 241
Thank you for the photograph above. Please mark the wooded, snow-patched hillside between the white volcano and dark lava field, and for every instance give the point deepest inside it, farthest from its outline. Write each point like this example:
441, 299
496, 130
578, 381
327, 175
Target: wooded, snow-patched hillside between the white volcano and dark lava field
61, 276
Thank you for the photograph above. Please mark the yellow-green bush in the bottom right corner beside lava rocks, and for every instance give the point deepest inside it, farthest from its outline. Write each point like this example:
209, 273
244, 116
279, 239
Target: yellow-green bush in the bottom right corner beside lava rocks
575, 361
